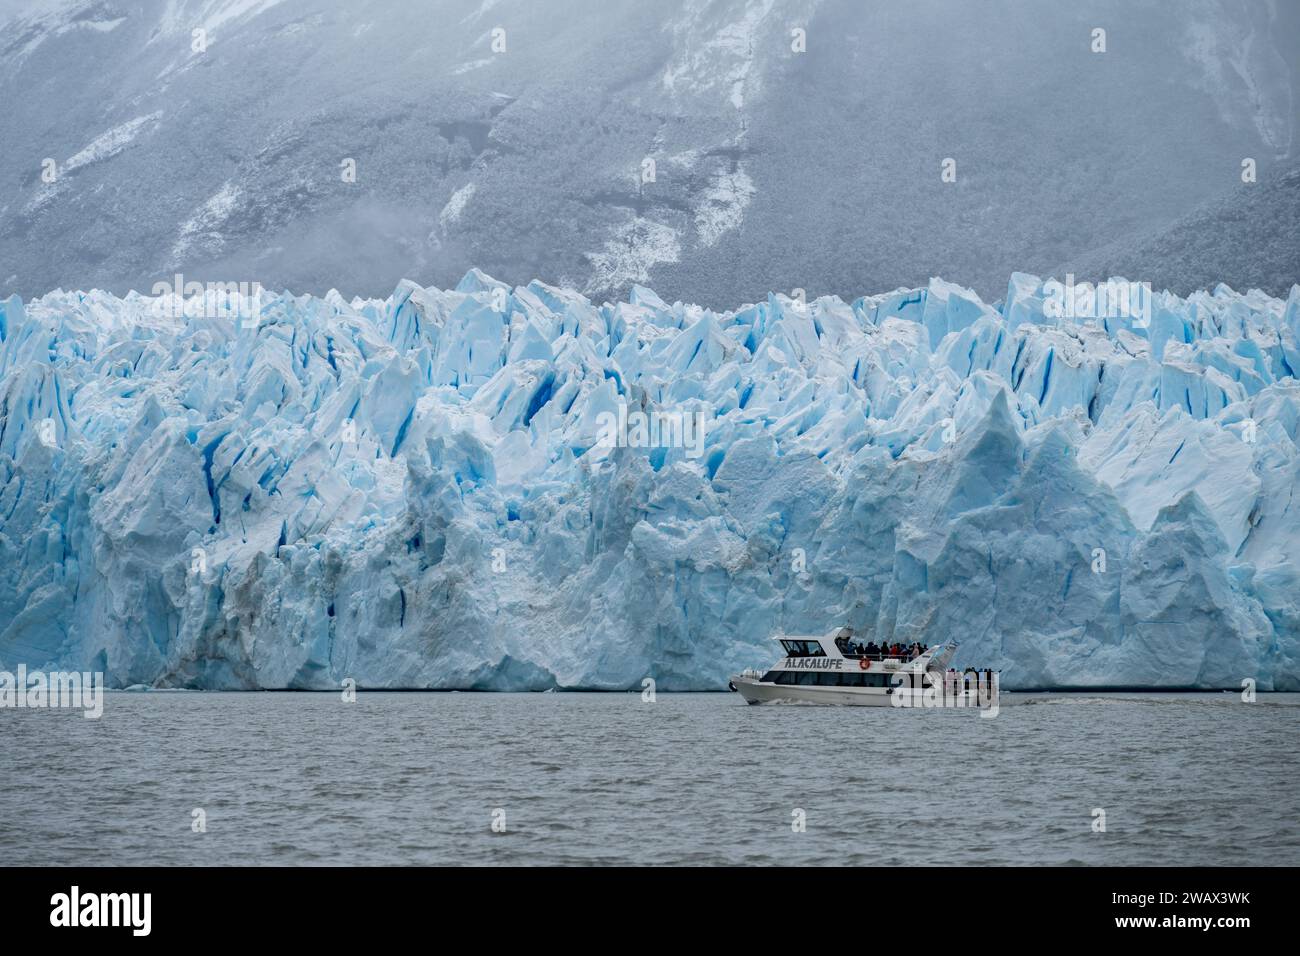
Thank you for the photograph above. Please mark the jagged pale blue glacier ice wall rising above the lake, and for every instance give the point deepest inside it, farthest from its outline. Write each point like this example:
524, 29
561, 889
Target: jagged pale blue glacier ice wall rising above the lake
422, 492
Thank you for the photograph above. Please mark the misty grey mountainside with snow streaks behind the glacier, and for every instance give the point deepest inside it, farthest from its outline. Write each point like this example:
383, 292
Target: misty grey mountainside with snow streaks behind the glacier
513, 137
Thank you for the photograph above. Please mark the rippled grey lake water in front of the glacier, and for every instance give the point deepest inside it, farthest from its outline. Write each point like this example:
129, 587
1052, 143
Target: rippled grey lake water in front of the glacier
584, 778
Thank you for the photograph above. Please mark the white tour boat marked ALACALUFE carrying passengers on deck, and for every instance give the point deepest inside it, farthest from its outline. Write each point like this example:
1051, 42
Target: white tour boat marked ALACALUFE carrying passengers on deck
838, 671
